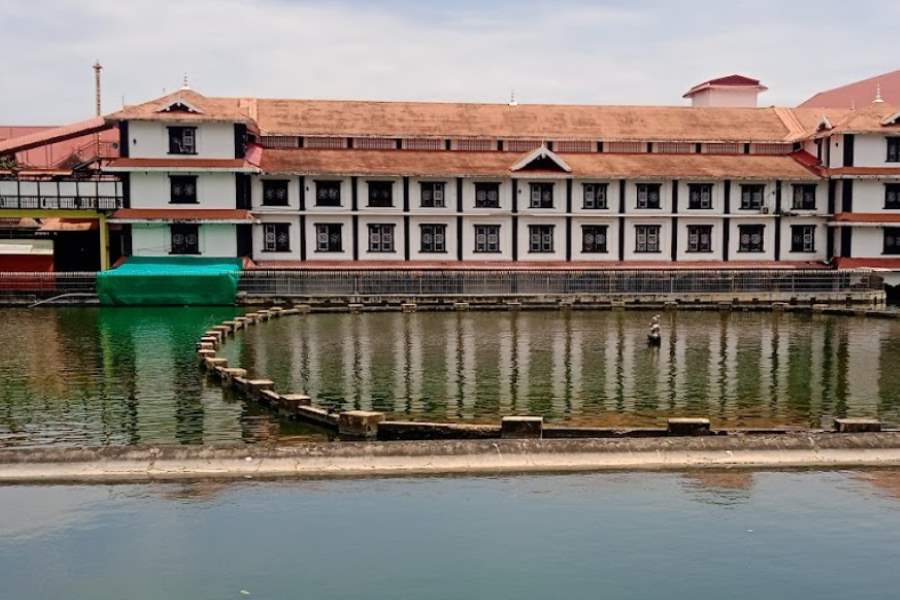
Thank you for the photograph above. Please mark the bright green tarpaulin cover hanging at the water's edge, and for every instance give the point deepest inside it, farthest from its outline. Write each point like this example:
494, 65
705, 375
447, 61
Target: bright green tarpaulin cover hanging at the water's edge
180, 280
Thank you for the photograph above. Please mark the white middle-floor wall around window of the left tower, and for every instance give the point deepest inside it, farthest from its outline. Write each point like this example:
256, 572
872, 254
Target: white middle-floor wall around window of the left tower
153, 190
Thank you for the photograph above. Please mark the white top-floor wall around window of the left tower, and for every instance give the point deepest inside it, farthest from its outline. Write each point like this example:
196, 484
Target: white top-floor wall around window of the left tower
150, 139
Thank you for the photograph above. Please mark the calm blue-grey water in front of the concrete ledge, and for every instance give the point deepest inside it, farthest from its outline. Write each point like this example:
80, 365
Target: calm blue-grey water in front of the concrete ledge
735, 535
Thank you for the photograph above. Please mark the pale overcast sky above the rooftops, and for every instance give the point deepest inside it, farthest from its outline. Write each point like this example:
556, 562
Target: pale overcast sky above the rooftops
638, 52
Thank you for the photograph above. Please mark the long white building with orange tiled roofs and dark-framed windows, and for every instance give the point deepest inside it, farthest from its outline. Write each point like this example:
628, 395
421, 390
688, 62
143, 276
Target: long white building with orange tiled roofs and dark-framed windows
314, 183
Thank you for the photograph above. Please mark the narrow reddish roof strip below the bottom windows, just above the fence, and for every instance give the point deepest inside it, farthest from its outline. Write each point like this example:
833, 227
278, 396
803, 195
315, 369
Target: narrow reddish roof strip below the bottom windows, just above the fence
473, 265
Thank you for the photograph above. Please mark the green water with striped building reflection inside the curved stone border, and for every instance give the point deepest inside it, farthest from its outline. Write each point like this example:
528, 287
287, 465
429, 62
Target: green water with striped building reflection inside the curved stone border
748, 369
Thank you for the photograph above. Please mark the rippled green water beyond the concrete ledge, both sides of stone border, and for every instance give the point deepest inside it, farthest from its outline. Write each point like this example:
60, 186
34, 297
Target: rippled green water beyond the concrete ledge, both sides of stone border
119, 376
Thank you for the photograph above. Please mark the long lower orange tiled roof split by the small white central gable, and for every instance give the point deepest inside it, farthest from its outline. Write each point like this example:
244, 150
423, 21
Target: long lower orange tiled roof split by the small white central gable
498, 164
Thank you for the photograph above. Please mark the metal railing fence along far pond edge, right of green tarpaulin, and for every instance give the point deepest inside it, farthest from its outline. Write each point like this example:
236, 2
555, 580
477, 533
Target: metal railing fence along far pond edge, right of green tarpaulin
552, 283
